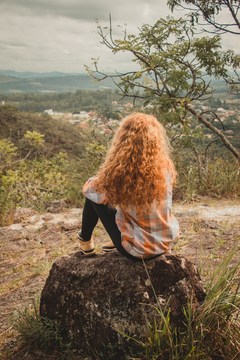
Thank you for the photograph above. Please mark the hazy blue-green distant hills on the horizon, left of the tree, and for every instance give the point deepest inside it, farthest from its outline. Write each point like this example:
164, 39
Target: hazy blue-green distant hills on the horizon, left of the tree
47, 85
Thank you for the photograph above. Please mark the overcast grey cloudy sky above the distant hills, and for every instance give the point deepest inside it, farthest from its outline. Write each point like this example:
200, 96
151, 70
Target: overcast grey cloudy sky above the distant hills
60, 35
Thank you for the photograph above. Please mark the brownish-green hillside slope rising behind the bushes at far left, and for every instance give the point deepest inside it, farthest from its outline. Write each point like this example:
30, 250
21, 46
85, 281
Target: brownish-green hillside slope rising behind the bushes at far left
59, 136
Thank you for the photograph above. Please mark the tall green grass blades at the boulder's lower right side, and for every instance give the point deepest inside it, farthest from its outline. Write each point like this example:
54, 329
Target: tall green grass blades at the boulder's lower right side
212, 330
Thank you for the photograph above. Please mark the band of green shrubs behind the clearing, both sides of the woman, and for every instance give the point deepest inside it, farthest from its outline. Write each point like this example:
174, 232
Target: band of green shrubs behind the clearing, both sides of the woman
43, 159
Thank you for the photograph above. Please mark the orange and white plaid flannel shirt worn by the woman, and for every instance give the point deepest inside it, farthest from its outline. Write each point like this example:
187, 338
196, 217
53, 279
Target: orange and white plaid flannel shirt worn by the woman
147, 234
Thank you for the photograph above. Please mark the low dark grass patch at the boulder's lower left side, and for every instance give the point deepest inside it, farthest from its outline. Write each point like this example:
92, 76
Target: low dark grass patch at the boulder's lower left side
38, 333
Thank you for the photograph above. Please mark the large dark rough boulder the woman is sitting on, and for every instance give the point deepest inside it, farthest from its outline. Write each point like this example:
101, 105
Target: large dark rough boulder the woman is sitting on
92, 299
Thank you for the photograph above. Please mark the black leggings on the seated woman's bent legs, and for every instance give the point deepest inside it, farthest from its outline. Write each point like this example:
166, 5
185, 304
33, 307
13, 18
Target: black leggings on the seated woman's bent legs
91, 213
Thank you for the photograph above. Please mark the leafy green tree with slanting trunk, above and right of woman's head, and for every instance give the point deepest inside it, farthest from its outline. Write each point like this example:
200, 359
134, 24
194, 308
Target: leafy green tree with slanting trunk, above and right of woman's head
173, 65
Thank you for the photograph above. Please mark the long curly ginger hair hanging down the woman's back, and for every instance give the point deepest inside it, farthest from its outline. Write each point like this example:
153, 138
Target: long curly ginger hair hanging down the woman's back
137, 164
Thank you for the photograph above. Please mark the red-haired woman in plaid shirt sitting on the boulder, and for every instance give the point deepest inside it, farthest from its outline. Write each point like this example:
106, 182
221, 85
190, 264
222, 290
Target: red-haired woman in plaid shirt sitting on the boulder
132, 193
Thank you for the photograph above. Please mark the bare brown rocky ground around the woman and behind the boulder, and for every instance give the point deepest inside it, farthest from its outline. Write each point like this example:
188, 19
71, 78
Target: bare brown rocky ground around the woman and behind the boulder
209, 230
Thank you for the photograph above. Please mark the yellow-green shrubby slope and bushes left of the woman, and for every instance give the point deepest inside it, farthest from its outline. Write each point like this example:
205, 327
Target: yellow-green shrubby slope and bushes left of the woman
45, 162
